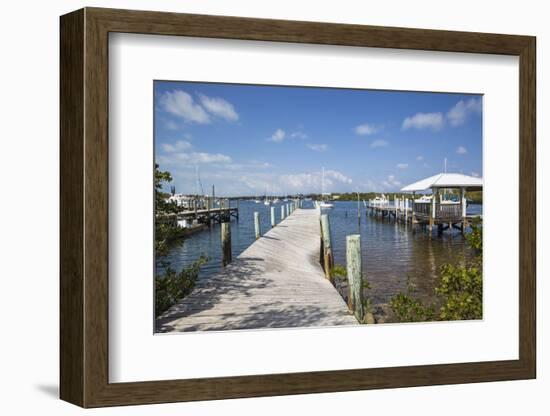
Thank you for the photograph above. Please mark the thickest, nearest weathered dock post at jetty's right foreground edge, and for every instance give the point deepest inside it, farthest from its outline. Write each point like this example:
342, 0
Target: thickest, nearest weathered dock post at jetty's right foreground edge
355, 276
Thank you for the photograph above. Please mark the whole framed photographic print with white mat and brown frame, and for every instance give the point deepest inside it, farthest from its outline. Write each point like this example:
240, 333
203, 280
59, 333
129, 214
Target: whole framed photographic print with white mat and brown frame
256, 207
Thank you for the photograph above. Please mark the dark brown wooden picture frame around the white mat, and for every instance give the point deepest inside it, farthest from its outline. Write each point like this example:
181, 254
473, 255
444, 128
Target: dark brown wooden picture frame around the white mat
84, 207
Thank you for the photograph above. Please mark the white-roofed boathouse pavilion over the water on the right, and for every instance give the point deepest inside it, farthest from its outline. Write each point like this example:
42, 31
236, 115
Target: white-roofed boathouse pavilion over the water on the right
446, 206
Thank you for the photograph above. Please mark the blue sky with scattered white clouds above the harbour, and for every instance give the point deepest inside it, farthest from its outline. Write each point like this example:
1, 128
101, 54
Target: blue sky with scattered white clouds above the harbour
244, 138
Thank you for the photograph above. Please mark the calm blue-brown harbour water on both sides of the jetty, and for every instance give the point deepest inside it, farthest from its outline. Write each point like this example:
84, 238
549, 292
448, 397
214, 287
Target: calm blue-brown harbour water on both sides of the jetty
390, 252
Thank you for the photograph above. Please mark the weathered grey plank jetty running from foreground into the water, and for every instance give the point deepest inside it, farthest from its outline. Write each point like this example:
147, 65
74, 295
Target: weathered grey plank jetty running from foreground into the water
277, 282
